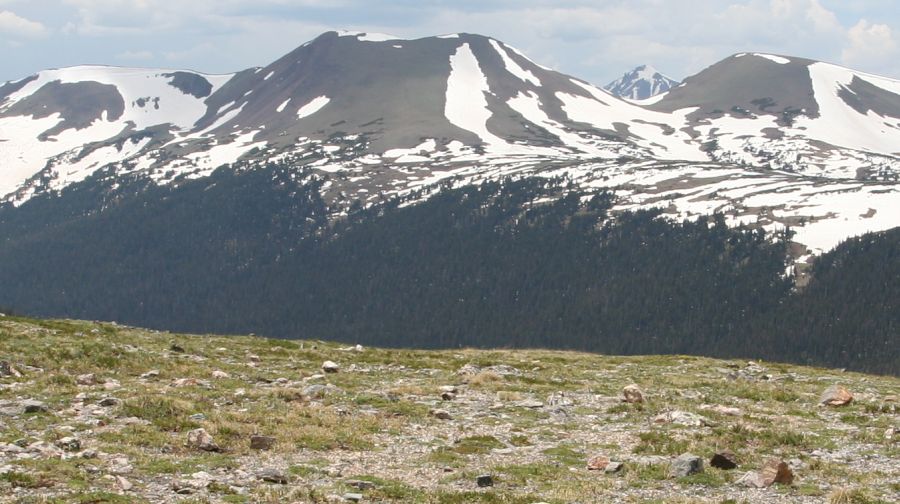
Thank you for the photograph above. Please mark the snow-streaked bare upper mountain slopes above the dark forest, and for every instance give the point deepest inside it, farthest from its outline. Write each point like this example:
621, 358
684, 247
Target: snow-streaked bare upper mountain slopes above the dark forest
768, 140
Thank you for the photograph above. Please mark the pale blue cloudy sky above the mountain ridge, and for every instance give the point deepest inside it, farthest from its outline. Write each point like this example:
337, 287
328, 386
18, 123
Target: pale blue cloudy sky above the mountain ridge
594, 40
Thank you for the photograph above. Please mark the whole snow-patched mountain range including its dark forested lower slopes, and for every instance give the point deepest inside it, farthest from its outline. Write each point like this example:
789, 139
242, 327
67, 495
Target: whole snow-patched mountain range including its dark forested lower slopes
358, 185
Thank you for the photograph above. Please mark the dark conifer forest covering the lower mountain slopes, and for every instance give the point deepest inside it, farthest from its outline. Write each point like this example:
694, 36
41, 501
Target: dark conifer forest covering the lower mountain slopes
252, 251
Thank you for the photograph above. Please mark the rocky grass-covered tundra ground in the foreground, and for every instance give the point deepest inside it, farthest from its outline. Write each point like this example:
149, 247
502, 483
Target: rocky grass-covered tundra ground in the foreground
102, 413
